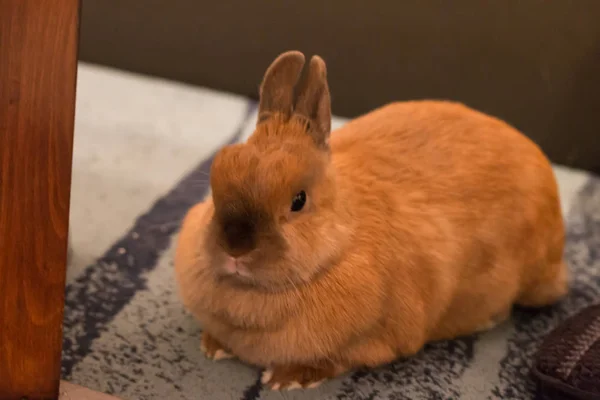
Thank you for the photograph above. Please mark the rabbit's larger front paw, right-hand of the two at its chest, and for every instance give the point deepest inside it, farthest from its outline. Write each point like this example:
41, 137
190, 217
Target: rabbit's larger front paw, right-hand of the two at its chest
292, 377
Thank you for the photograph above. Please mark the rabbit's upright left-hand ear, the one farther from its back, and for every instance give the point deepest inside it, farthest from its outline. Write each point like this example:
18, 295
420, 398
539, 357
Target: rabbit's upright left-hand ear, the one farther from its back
279, 82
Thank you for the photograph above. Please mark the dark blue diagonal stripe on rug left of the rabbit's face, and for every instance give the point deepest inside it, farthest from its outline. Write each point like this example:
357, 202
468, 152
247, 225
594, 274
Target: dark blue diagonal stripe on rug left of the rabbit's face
106, 287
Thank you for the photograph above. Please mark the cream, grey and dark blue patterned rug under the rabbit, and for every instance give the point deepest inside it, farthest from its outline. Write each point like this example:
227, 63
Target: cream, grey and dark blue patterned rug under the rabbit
143, 149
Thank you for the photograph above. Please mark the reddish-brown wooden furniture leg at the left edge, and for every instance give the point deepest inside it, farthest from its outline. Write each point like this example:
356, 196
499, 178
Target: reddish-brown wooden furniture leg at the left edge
38, 63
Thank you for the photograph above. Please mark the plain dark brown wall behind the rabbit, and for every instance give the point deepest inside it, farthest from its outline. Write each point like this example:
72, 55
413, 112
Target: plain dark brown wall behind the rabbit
534, 63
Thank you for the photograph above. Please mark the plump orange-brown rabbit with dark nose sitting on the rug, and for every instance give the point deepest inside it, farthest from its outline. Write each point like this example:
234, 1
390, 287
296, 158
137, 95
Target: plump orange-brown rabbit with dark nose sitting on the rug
317, 253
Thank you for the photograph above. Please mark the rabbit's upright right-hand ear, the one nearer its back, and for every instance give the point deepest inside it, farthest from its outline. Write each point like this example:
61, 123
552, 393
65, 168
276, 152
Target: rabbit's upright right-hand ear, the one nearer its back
314, 103
